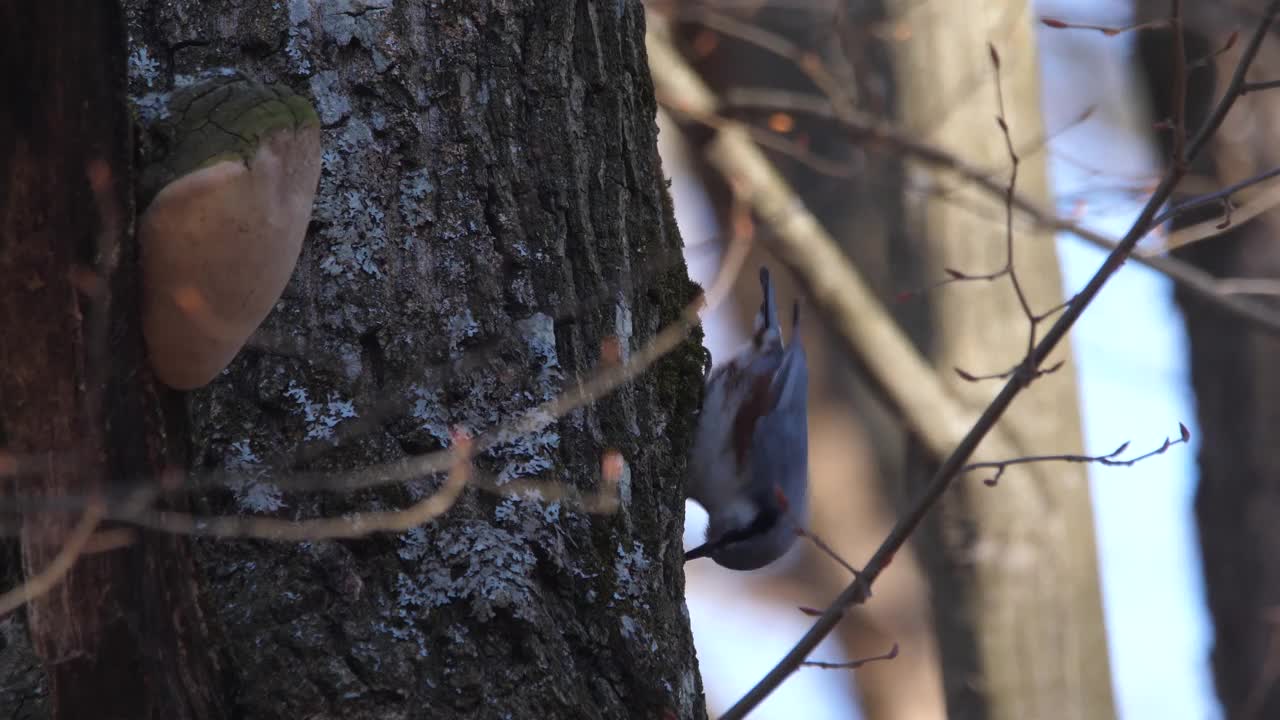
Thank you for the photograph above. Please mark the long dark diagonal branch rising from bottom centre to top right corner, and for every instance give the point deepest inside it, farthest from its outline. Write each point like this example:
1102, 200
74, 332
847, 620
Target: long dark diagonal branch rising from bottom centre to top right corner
858, 591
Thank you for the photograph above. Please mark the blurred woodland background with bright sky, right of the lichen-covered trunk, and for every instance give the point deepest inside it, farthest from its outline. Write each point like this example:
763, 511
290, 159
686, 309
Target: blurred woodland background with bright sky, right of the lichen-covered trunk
1066, 591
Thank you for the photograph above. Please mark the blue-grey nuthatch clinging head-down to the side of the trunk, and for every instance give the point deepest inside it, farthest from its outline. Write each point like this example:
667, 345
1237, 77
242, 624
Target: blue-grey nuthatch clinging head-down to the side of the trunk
749, 467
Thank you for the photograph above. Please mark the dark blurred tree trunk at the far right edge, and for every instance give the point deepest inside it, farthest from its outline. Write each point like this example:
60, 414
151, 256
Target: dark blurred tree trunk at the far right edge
1233, 367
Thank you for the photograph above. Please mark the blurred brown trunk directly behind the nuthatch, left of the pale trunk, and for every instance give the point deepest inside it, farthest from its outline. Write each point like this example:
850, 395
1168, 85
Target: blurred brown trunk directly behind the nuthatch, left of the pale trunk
856, 444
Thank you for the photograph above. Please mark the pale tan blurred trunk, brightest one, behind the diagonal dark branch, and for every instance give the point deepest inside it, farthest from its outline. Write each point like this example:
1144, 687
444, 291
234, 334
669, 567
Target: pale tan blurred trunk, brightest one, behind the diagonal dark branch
1014, 568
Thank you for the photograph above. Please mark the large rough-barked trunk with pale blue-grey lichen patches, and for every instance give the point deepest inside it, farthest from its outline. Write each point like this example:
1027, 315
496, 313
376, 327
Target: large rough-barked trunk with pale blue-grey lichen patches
492, 213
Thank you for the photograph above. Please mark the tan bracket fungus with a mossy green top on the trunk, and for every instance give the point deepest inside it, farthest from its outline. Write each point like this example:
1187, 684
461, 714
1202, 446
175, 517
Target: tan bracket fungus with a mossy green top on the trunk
234, 168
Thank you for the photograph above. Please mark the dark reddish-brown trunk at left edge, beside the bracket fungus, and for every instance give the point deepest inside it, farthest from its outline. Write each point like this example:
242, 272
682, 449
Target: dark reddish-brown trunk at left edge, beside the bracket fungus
79, 414
